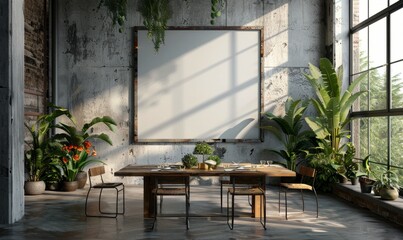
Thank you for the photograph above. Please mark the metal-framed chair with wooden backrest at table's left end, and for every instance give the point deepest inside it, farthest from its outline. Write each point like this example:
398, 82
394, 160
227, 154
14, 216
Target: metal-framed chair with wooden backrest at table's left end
97, 172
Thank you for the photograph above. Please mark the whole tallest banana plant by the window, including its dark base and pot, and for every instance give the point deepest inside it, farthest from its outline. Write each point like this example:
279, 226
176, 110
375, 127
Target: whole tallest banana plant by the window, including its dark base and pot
333, 104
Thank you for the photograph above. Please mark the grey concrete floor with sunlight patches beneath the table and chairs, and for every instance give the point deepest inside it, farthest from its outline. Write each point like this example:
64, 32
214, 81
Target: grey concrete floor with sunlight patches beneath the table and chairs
60, 215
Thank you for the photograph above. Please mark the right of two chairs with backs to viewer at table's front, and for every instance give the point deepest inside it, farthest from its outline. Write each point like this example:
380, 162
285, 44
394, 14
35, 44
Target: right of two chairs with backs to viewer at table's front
251, 185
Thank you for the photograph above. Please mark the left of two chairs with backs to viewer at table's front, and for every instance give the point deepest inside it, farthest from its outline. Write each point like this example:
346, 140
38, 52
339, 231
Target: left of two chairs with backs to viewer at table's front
172, 186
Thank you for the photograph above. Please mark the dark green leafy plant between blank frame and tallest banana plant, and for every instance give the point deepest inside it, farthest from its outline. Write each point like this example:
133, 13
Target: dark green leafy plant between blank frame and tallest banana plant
290, 133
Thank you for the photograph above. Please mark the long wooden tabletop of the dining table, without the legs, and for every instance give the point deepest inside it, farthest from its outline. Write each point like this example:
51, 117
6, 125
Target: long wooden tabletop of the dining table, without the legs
228, 170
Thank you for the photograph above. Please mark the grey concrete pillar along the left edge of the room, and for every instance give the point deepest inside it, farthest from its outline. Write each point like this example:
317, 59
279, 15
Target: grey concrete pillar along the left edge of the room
12, 111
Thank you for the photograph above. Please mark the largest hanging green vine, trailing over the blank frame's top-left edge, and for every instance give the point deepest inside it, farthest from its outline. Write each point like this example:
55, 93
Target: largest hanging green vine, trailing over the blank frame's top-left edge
156, 14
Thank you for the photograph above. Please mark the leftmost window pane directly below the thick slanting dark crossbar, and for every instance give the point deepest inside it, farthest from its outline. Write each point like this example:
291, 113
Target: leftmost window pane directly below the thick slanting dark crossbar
360, 51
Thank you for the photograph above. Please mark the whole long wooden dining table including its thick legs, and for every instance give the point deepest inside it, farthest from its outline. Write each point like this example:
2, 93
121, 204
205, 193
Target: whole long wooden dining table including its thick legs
150, 172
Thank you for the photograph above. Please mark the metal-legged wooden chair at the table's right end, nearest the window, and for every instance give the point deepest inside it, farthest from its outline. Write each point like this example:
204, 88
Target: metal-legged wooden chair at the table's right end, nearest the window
304, 172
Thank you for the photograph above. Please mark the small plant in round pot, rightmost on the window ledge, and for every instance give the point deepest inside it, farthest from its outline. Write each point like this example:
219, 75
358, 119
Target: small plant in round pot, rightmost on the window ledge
389, 185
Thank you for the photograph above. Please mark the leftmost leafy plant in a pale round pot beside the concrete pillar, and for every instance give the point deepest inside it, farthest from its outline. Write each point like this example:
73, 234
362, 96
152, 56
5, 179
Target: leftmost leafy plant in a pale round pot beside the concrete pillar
39, 154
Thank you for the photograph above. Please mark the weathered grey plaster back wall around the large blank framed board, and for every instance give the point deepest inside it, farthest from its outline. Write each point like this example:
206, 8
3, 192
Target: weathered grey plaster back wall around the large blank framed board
95, 67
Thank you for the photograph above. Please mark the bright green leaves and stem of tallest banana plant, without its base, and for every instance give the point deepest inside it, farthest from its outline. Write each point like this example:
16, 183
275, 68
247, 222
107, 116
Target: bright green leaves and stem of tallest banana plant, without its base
332, 103
